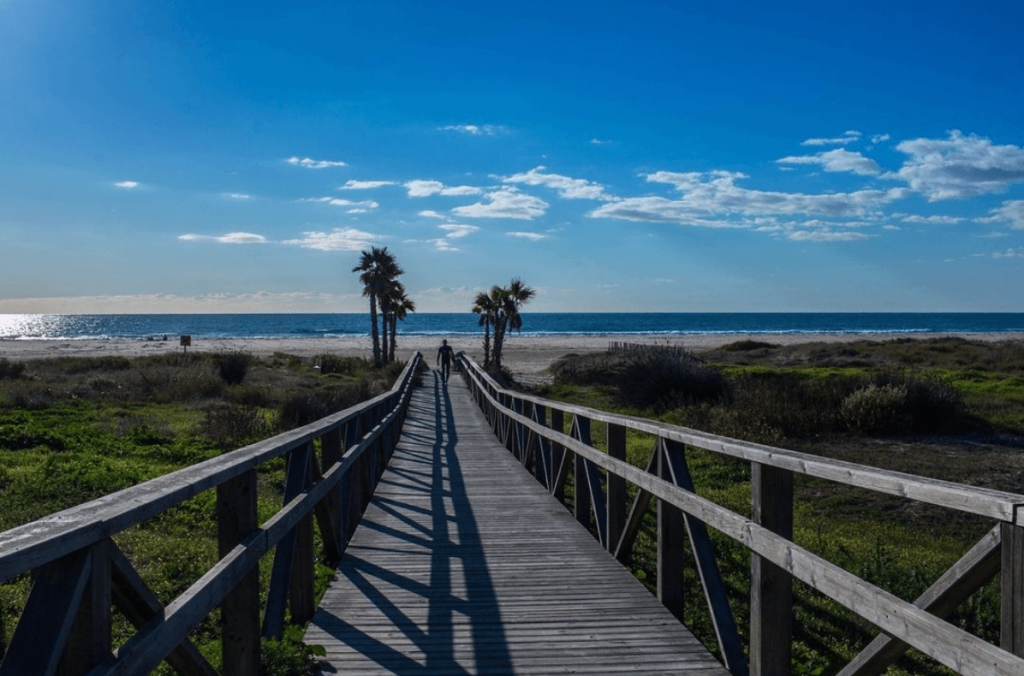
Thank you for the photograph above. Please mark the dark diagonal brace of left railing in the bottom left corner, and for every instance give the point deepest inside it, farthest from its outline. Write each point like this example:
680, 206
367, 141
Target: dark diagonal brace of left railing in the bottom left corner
42, 631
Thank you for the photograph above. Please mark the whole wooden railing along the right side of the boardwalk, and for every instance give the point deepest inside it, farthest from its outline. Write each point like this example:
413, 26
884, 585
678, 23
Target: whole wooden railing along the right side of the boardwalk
533, 430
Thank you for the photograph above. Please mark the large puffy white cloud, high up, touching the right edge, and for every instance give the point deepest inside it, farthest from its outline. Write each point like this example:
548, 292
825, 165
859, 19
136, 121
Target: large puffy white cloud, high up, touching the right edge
960, 166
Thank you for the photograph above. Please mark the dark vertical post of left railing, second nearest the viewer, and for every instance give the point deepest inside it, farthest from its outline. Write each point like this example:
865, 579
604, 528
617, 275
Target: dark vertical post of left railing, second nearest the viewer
240, 610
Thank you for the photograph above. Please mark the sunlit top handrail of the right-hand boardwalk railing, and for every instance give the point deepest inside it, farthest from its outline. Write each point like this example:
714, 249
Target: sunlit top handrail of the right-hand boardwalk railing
1000, 505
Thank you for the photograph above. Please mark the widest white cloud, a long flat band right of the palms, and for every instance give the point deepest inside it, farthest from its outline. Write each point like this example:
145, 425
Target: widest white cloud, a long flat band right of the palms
711, 200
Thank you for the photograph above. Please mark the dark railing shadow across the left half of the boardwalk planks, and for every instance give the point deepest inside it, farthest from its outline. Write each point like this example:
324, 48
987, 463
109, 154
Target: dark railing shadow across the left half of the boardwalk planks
438, 531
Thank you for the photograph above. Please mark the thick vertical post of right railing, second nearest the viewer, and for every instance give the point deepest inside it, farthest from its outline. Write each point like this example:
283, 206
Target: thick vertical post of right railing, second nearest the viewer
772, 588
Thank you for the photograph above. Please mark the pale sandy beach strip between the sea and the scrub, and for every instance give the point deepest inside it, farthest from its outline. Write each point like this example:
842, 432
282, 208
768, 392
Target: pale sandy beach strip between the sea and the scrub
528, 357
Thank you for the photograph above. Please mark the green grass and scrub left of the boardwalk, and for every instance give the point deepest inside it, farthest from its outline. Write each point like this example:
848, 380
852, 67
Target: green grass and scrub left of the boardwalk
75, 430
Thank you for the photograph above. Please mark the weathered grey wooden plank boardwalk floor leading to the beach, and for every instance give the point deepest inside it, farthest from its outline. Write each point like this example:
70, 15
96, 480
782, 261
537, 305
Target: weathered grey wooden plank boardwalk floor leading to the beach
464, 565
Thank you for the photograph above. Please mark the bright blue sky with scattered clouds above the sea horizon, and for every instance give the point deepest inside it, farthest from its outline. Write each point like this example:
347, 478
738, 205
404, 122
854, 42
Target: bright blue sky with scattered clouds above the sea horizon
160, 156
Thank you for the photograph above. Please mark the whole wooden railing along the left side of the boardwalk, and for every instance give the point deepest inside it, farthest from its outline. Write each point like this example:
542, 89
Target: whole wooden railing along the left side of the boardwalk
79, 574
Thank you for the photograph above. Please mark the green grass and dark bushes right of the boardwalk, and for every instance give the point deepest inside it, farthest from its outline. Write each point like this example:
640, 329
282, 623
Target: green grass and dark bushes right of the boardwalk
951, 409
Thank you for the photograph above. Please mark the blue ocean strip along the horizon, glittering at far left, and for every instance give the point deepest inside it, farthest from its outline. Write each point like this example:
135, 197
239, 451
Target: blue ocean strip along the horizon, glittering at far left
97, 327
